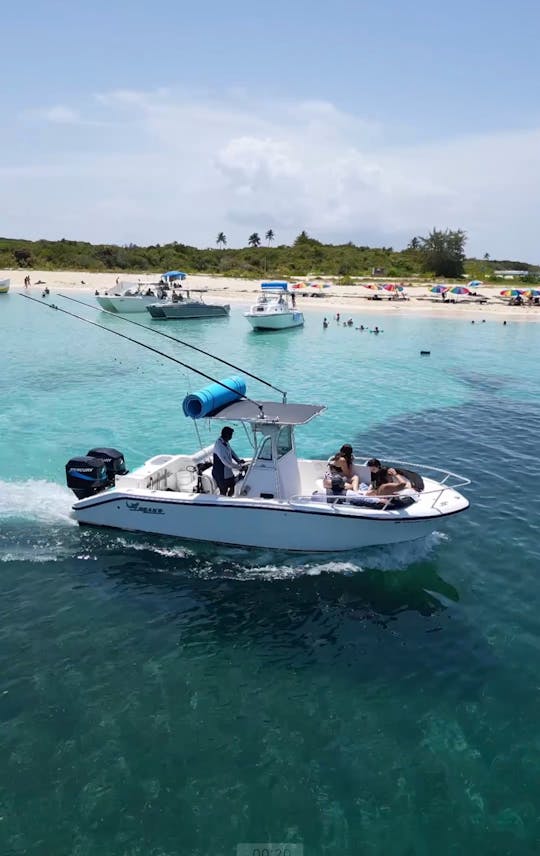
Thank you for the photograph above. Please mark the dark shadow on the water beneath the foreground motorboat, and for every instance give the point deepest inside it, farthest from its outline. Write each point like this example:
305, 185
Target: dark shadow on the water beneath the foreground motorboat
370, 626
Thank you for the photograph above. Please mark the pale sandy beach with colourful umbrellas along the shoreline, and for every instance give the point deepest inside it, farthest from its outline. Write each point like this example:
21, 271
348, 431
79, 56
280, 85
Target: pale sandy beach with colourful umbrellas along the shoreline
348, 299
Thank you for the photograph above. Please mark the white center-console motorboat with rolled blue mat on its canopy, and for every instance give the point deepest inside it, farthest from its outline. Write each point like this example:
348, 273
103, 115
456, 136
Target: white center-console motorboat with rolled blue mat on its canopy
279, 501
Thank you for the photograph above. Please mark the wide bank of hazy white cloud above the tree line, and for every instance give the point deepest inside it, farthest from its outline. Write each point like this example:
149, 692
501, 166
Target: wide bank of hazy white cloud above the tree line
183, 166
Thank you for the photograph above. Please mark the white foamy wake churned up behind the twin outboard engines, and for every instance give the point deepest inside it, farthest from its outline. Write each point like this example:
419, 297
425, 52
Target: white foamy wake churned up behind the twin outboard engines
36, 499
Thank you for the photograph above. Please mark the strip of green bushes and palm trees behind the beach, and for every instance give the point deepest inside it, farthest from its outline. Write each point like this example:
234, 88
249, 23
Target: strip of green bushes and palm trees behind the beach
424, 257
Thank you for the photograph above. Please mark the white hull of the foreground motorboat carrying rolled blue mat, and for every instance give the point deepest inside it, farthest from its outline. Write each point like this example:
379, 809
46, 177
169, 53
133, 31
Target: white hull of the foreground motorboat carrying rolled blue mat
312, 527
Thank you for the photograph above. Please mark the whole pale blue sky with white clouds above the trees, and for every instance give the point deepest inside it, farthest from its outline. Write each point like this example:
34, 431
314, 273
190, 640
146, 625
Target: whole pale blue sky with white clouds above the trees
359, 121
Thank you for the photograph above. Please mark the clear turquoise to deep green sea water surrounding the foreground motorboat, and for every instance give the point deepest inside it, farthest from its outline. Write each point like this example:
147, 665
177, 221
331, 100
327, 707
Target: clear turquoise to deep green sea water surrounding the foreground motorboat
162, 698
